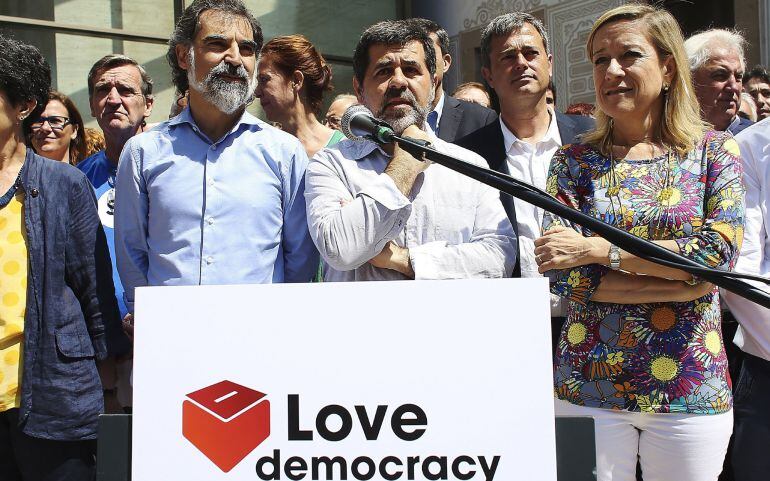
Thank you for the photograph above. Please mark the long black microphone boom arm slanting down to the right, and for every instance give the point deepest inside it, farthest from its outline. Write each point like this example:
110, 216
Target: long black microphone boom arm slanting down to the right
625, 240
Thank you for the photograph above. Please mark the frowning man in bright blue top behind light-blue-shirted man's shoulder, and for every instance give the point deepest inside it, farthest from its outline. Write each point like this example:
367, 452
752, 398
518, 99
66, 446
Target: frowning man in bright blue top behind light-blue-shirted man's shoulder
120, 94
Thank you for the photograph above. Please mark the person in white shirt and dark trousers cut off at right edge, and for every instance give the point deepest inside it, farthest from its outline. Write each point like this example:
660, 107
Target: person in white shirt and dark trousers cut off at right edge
752, 392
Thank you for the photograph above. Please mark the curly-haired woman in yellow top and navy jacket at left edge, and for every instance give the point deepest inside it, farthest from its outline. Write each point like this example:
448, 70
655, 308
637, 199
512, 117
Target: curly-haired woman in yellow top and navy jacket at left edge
56, 294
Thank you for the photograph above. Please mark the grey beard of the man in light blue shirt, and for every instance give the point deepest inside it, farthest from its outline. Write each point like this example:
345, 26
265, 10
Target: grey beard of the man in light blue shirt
227, 95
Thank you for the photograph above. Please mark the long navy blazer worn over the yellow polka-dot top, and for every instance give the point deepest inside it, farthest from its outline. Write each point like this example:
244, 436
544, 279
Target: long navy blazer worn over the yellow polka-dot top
72, 314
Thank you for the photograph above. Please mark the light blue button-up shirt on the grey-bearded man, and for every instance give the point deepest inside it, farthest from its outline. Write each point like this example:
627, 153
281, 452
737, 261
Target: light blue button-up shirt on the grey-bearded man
191, 211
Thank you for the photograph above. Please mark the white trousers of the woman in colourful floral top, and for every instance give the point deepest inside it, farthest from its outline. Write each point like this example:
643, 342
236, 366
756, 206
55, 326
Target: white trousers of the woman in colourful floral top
671, 447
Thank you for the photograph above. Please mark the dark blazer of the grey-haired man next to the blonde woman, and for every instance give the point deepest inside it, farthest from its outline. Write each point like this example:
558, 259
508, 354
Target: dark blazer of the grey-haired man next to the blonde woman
488, 142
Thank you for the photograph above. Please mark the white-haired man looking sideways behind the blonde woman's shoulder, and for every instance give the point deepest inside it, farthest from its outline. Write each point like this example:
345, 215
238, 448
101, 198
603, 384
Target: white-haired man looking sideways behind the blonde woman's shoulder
717, 65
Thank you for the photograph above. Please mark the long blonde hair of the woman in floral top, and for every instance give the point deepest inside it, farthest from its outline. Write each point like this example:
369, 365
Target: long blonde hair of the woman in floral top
681, 127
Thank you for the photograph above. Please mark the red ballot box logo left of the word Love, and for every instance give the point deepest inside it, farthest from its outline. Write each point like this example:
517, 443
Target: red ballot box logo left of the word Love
226, 421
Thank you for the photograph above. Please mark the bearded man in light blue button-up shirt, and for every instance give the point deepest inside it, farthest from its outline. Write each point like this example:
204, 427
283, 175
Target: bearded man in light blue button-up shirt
214, 195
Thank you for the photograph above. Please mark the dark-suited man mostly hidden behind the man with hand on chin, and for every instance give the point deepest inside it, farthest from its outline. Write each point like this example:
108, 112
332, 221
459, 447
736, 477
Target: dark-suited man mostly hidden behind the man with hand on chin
451, 118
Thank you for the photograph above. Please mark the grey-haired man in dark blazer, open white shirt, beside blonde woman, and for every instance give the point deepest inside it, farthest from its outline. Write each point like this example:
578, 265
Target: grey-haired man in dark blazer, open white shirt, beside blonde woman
517, 64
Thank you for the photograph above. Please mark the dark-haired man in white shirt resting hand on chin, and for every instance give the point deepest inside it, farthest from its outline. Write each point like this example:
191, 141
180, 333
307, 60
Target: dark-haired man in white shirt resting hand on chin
376, 212
